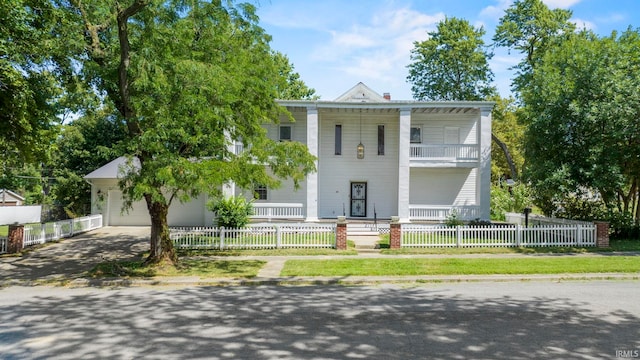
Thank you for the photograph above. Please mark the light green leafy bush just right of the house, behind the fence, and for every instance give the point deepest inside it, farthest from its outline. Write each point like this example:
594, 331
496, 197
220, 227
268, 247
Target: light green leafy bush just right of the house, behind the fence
506, 199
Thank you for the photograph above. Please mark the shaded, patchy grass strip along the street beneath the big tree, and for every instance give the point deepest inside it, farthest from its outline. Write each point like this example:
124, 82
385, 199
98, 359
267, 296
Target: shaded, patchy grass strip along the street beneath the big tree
200, 268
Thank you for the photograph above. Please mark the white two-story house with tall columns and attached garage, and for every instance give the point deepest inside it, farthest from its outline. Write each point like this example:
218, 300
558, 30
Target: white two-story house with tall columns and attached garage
418, 161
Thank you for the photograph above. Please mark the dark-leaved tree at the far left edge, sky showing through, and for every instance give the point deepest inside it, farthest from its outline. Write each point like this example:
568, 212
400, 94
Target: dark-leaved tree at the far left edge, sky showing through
30, 81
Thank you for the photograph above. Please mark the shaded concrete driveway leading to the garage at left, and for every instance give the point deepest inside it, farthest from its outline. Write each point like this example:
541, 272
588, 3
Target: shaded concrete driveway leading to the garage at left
71, 257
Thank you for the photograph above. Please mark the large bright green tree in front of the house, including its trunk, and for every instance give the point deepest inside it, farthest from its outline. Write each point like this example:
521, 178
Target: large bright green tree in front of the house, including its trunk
188, 79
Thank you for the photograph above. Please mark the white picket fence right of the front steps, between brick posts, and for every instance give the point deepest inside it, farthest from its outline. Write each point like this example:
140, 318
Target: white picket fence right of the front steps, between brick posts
414, 235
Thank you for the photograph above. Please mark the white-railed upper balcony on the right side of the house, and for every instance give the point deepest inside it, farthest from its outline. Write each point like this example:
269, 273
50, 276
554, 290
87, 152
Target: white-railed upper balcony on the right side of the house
447, 155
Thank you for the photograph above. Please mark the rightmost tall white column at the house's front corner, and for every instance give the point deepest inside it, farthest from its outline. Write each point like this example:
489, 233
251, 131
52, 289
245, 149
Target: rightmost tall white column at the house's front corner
483, 186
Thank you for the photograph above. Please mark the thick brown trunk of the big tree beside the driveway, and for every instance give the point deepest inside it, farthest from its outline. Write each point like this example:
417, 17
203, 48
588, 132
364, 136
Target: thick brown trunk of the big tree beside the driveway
161, 246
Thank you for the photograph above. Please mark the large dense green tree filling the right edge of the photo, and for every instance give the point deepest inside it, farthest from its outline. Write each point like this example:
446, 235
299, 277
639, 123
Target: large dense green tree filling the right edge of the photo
582, 106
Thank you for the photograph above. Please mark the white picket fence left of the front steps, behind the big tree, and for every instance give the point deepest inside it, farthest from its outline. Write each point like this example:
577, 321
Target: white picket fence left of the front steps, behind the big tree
255, 237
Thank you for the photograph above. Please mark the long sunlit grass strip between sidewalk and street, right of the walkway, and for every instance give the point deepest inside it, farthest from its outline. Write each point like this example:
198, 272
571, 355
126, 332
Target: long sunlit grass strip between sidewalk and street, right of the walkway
457, 266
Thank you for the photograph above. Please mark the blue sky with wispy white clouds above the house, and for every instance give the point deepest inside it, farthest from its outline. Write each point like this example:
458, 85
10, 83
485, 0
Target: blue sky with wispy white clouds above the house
334, 44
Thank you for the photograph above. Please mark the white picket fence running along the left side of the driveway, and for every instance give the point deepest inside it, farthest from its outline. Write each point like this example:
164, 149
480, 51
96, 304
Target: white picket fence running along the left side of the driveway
41, 233
